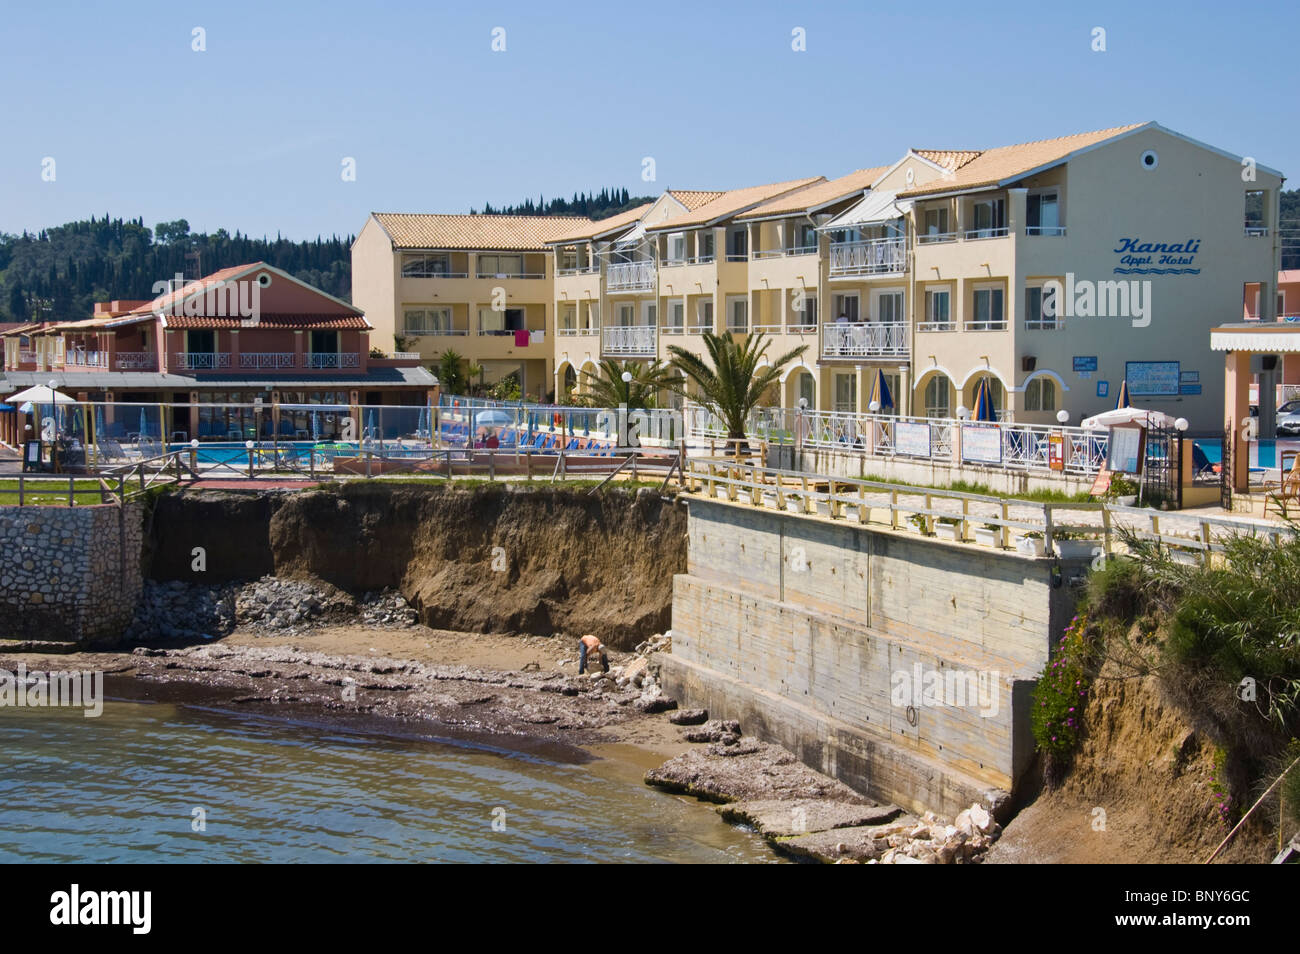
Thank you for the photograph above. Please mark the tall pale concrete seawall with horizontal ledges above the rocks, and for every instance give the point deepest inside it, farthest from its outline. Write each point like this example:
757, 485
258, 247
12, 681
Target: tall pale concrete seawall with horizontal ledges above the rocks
900, 665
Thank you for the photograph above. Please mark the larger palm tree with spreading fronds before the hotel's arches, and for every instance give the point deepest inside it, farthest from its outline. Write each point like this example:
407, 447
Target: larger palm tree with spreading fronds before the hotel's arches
734, 385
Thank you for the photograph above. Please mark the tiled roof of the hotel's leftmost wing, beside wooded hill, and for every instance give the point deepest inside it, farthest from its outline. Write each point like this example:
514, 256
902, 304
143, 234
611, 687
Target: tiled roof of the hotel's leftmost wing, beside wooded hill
523, 233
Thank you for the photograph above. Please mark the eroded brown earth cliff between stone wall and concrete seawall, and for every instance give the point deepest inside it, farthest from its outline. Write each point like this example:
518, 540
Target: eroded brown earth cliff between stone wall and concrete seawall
504, 560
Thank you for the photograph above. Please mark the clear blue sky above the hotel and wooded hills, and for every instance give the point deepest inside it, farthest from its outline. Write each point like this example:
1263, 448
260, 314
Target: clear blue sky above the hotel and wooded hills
252, 133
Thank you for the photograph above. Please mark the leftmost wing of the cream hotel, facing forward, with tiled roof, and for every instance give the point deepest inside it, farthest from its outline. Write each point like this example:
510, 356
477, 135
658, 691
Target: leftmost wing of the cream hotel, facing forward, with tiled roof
482, 287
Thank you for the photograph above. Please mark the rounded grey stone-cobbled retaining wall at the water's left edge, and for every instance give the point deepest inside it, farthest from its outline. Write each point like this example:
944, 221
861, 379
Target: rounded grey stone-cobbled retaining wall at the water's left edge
70, 574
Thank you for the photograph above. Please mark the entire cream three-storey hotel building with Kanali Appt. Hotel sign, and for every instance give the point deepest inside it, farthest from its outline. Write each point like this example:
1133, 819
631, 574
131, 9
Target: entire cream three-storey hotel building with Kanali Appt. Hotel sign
1056, 271
